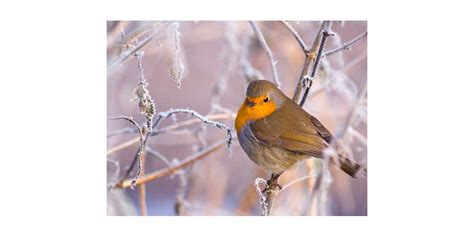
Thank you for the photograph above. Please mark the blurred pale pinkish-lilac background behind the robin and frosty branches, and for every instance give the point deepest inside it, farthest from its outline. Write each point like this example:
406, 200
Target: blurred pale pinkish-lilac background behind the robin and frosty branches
206, 66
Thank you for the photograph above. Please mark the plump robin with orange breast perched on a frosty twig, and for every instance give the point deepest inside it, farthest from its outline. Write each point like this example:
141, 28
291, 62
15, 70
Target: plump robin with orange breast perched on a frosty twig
275, 132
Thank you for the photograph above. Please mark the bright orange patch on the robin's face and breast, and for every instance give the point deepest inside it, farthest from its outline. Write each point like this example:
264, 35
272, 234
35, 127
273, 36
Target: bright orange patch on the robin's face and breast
259, 111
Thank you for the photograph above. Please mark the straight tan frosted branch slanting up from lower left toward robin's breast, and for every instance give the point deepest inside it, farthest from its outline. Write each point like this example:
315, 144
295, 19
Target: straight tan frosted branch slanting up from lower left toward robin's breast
172, 169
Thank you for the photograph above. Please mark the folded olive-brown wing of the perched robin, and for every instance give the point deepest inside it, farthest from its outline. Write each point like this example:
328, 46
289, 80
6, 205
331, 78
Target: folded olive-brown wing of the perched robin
292, 129
